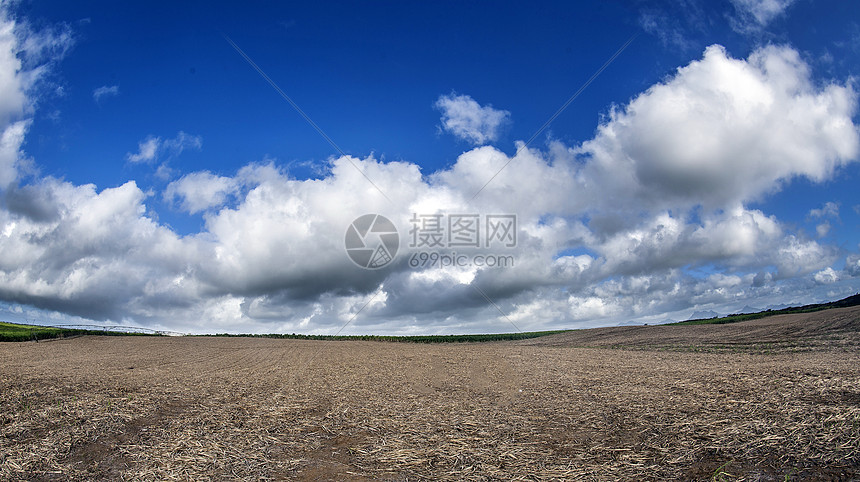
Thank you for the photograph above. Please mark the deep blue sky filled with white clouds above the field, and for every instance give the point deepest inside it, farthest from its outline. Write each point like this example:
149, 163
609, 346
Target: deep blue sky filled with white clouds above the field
154, 178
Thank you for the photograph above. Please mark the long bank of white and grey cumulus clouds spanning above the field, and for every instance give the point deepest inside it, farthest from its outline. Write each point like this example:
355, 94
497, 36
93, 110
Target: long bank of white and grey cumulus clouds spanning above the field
649, 217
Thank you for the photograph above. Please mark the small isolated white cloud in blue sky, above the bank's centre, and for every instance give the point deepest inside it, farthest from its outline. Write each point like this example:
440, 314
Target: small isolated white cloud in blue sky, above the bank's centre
468, 120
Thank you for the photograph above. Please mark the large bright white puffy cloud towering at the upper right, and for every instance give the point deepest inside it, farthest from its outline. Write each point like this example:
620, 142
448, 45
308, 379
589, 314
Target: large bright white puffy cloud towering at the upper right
723, 131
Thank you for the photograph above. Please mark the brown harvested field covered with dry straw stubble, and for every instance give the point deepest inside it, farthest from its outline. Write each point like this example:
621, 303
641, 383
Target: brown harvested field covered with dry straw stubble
679, 406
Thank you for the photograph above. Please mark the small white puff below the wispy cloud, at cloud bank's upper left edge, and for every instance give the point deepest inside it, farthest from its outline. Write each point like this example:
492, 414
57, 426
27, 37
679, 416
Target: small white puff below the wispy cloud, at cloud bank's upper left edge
200, 191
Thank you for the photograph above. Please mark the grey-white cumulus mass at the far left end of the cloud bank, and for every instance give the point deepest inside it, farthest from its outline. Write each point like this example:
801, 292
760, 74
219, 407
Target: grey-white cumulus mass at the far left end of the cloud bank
90, 247
